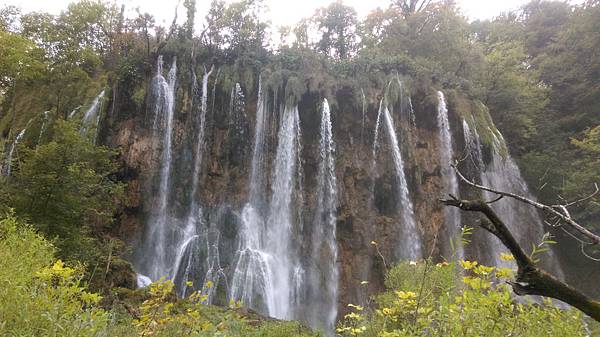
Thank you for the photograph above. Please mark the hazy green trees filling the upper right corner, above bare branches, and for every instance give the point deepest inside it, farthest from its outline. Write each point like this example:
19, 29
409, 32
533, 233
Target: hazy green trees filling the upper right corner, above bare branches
542, 90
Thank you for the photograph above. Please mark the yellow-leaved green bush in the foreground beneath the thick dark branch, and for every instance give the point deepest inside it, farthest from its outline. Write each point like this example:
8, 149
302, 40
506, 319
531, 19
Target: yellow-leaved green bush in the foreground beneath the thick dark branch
428, 300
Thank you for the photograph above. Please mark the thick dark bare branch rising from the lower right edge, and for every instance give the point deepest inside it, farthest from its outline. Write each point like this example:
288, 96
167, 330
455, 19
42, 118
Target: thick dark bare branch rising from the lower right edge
530, 280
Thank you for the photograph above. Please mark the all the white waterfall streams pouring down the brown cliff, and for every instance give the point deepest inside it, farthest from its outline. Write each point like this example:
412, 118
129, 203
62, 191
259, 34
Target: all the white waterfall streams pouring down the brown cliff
283, 267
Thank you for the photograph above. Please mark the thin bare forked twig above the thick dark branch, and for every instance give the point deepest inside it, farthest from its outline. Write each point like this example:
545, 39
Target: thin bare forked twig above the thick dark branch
559, 211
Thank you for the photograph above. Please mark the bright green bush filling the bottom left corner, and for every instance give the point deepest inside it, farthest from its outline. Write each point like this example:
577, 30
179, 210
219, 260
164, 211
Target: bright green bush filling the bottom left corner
38, 298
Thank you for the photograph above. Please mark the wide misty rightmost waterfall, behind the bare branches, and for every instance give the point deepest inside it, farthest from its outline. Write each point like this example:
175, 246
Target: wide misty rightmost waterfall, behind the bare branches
502, 173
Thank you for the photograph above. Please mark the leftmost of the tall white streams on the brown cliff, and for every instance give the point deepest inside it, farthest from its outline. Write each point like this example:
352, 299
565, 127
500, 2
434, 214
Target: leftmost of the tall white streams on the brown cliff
157, 254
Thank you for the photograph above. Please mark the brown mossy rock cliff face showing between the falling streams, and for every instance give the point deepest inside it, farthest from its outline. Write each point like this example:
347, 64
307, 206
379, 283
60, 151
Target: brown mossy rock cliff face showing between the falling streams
368, 208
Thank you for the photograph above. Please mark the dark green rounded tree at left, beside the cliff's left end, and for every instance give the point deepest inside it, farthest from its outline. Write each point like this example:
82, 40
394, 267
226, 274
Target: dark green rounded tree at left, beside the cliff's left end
67, 189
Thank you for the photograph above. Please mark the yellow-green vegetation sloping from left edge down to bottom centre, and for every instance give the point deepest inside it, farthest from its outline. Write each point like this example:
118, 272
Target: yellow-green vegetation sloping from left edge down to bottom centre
43, 296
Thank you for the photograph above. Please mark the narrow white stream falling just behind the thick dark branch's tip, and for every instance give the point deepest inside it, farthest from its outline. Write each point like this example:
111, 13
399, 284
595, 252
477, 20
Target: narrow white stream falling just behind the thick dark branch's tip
452, 218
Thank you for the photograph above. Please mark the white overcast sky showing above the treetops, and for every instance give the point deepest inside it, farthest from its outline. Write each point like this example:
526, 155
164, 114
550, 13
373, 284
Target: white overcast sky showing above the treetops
282, 12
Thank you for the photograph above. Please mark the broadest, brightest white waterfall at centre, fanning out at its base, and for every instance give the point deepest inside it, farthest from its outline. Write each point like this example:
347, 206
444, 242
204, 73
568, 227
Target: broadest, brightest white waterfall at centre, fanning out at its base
264, 275
